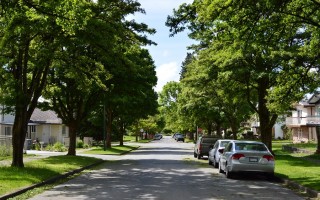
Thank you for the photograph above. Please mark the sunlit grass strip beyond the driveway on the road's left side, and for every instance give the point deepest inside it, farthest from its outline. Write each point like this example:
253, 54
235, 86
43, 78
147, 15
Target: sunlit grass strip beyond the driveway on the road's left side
114, 150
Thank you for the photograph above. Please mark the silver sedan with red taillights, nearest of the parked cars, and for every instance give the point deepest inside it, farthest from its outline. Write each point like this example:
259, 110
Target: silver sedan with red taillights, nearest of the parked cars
246, 156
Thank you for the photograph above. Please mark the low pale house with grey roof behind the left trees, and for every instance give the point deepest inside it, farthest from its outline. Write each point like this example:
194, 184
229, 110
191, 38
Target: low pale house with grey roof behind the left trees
44, 126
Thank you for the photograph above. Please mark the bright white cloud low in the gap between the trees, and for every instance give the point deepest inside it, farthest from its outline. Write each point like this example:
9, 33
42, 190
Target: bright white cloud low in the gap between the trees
166, 73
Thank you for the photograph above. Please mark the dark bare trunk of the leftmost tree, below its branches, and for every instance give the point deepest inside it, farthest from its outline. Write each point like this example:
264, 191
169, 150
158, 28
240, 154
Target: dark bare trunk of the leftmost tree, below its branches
19, 134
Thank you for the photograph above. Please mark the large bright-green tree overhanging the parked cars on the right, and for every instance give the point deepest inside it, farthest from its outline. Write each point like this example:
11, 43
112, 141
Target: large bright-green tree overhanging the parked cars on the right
251, 42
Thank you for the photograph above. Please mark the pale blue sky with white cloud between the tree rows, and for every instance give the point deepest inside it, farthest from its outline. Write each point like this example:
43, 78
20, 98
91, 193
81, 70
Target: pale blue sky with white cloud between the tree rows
170, 52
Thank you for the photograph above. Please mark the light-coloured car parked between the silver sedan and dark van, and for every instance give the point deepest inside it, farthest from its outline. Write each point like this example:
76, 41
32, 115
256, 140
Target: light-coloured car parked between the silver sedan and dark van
216, 151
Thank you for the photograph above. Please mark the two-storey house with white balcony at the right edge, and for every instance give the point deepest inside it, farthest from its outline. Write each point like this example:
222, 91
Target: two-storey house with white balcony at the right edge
305, 119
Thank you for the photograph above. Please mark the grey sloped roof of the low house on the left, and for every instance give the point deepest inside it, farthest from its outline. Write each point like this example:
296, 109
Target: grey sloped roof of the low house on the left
47, 117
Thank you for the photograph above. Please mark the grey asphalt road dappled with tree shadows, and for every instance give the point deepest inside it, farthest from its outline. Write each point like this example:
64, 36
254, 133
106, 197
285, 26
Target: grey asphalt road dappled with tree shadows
164, 170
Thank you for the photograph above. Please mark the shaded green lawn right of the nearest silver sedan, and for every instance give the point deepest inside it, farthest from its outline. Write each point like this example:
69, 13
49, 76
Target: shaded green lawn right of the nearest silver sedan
303, 168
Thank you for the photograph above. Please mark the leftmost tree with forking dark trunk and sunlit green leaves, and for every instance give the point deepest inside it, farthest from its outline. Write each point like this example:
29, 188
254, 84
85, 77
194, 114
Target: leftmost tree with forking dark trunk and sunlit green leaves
29, 39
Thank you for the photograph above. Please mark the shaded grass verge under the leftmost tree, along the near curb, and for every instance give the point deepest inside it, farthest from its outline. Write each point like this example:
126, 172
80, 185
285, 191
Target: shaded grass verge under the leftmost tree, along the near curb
36, 171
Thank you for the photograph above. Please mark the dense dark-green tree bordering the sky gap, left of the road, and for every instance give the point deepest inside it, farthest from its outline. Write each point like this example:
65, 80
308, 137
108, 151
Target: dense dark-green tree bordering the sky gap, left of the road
132, 88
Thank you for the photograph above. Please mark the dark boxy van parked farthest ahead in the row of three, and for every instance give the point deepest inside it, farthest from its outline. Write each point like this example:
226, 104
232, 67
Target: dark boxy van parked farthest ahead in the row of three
202, 146
